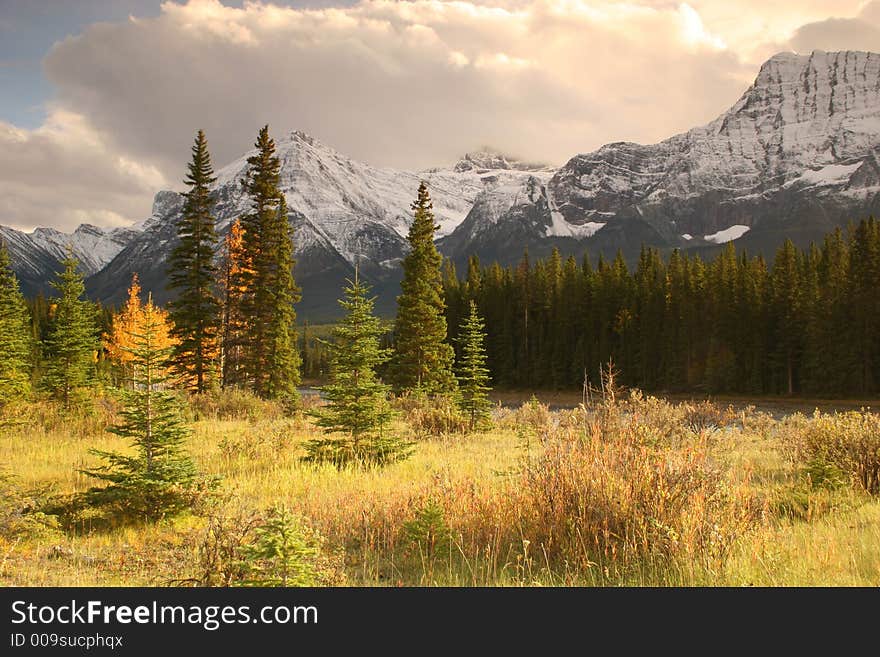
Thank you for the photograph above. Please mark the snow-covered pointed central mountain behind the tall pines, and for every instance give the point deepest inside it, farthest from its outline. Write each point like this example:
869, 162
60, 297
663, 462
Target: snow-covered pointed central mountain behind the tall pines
343, 212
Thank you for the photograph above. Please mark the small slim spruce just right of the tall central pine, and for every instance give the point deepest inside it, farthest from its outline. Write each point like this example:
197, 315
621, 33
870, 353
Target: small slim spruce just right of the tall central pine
473, 375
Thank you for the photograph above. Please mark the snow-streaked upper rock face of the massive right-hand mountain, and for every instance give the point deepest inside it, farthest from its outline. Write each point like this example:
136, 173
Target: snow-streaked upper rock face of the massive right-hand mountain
807, 120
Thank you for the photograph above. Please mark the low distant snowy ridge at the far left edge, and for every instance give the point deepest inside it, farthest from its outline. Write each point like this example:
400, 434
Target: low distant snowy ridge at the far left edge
35, 255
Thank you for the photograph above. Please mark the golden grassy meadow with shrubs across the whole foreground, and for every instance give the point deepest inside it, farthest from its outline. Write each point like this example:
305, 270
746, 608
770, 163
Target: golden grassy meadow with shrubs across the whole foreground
628, 491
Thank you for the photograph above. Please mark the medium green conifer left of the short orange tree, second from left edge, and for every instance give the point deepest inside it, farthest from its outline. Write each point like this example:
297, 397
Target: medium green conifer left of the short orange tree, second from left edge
71, 342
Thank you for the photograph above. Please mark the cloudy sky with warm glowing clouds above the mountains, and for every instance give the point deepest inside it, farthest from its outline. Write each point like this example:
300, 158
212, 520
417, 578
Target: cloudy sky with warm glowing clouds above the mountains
100, 99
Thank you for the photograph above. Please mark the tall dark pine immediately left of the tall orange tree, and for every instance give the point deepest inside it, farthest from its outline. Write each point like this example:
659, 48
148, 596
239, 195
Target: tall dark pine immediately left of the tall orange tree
196, 311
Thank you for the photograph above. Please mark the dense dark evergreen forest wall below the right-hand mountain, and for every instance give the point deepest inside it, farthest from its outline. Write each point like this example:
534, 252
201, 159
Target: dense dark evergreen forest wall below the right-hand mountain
809, 323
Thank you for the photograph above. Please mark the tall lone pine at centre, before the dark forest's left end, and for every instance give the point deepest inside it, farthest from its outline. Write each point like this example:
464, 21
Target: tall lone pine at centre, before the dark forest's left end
422, 360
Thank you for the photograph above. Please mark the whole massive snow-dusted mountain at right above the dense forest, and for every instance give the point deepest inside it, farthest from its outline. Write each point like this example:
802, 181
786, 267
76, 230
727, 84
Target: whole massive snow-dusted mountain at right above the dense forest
798, 154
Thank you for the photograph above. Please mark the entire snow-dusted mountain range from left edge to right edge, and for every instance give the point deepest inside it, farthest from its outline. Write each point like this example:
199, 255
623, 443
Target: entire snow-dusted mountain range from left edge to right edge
797, 155
